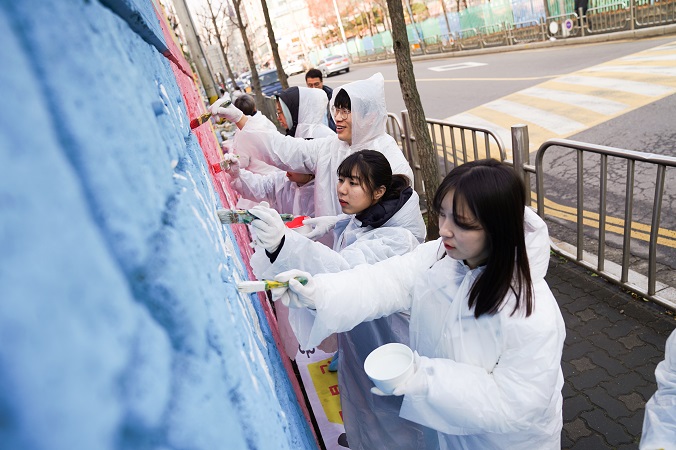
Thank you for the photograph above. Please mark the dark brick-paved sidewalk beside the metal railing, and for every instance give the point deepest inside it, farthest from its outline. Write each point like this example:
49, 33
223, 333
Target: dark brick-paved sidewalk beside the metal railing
613, 344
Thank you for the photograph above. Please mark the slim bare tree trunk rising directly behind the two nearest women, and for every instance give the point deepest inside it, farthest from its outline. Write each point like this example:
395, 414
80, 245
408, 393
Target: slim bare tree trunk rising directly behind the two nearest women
409, 90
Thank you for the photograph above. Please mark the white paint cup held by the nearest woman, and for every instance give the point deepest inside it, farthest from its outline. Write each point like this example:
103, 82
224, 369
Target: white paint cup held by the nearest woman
389, 365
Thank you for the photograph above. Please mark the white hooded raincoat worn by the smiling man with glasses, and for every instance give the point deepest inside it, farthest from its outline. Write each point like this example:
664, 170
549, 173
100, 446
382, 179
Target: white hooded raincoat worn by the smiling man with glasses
323, 156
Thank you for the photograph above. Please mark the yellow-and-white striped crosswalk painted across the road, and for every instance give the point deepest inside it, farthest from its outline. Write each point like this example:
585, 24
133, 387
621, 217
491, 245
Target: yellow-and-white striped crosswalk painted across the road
568, 104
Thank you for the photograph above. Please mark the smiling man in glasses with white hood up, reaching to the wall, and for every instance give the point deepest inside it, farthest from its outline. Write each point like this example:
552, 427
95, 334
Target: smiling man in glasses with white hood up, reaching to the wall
360, 114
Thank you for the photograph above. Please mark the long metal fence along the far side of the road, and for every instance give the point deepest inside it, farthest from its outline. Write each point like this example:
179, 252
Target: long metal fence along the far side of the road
619, 16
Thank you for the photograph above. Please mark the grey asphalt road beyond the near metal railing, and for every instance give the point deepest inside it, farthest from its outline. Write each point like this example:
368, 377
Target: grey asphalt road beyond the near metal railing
465, 87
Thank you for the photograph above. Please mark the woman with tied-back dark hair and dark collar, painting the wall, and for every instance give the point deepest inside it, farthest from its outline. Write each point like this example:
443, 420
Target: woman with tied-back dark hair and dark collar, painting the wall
381, 218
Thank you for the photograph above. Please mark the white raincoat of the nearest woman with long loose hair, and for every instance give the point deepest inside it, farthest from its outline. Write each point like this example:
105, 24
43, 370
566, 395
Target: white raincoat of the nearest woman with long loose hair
488, 383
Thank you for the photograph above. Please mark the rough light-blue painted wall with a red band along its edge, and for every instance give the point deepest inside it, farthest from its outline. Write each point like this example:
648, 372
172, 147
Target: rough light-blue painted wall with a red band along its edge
120, 323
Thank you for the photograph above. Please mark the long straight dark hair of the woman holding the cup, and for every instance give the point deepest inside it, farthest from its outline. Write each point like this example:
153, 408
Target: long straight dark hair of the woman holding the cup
496, 197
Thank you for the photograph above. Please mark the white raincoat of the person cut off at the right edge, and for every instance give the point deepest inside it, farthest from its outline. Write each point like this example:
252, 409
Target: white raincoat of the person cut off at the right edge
659, 423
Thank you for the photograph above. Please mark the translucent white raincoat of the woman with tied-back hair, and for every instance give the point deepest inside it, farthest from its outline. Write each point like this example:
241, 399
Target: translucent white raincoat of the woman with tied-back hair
370, 422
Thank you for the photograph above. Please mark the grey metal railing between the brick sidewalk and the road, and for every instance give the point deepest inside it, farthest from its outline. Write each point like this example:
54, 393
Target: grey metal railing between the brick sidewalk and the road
457, 143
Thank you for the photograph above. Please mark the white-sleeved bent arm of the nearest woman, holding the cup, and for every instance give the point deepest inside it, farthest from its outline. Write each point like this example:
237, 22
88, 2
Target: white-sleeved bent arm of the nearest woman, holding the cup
459, 398
